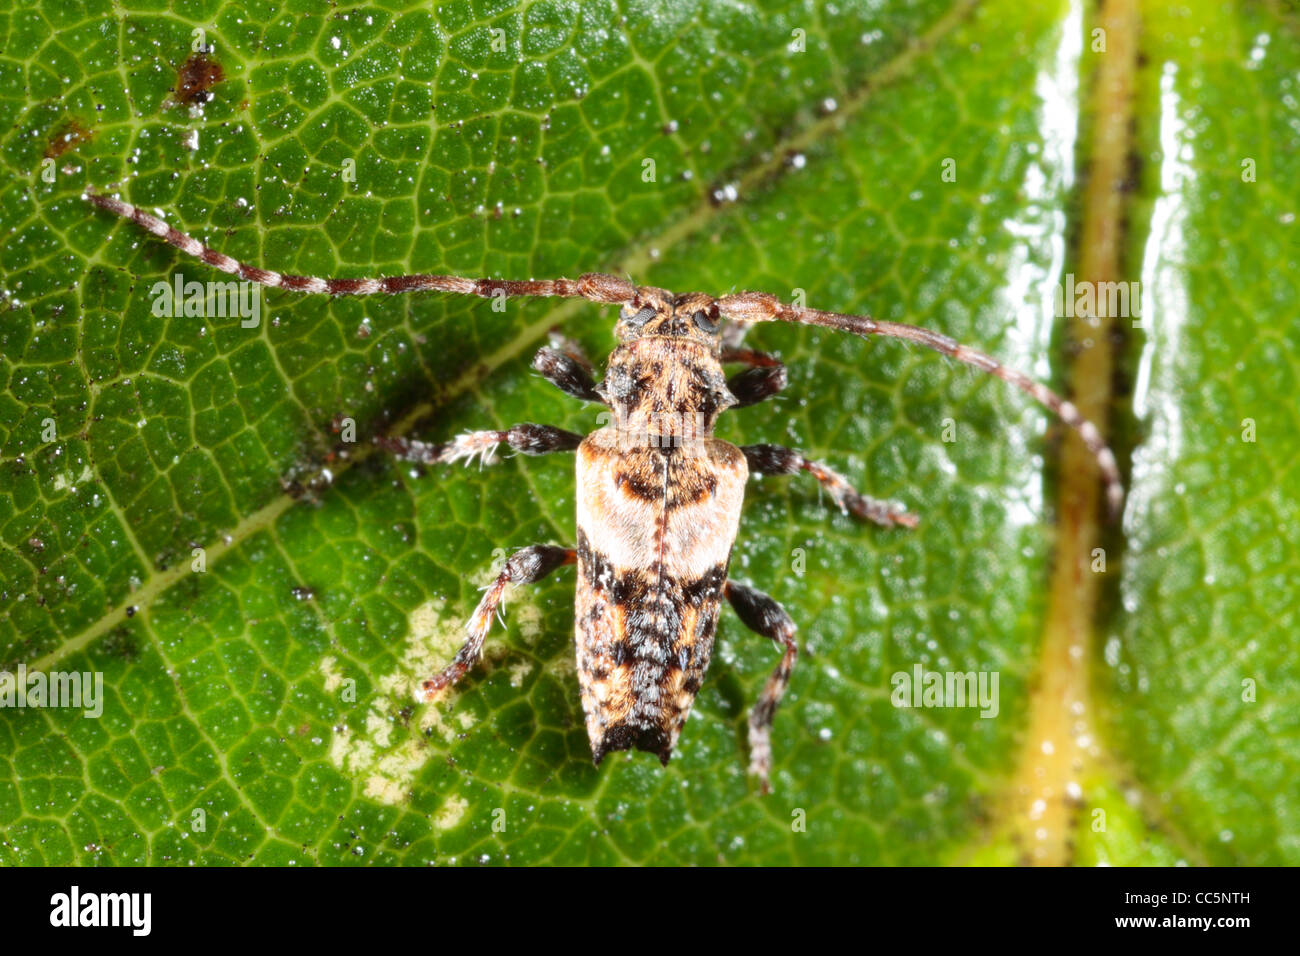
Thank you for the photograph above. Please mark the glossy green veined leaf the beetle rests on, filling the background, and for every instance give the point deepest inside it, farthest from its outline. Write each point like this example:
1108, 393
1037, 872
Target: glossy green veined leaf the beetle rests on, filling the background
263, 596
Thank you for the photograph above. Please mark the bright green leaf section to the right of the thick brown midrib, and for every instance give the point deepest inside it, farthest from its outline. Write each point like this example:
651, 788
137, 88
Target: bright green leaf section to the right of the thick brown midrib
1201, 681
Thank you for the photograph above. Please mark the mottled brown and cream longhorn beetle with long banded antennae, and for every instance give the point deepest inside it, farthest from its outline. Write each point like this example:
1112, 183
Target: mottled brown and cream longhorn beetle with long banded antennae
658, 496
